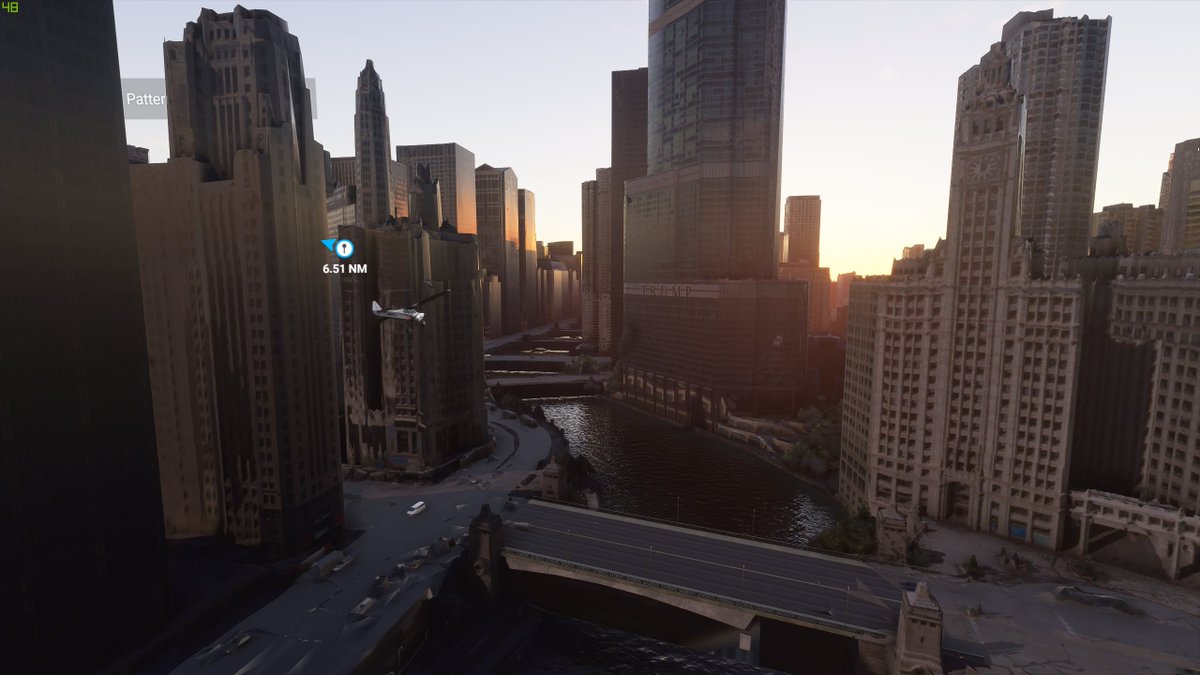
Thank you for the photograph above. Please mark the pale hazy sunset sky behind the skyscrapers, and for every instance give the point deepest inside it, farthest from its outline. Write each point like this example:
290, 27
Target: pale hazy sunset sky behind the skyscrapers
868, 97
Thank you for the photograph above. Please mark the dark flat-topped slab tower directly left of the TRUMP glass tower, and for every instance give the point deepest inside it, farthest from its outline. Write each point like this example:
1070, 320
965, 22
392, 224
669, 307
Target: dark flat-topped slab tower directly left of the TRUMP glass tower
628, 162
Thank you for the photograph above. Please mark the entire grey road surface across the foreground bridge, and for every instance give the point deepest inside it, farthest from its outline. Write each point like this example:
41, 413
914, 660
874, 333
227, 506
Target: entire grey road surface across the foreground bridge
819, 587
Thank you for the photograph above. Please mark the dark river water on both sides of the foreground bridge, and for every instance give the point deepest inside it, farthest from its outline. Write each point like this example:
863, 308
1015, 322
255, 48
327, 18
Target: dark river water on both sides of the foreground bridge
651, 468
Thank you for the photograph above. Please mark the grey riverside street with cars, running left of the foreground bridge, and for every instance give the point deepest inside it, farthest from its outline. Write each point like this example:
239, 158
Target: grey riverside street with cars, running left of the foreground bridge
310, 628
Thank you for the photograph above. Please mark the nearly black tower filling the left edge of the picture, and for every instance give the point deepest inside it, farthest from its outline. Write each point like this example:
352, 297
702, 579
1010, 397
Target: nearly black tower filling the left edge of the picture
85, 568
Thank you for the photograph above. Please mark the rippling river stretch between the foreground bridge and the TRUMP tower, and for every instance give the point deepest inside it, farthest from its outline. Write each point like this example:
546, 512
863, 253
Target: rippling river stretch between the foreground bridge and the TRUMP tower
651, 468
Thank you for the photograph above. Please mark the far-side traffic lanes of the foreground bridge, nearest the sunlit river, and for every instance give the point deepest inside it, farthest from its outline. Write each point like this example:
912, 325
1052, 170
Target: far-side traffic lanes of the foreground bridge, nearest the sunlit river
830, 572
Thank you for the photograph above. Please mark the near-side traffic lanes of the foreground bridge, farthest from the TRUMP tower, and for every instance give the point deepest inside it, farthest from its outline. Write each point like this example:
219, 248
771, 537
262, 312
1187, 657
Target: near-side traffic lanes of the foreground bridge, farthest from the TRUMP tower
777, 588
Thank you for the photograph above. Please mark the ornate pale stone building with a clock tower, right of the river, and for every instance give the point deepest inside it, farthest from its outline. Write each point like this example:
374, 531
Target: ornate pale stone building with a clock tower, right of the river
962, 368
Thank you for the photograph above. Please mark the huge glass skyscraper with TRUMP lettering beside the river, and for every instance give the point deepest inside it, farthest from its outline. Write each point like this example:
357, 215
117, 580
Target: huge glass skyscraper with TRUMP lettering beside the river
707, 327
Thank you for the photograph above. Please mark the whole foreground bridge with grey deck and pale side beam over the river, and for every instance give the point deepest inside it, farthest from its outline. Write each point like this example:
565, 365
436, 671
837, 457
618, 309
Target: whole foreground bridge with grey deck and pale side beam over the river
728, 580
